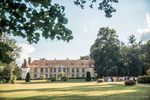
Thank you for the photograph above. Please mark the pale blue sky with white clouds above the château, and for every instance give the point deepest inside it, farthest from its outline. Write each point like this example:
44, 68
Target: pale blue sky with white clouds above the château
131, 17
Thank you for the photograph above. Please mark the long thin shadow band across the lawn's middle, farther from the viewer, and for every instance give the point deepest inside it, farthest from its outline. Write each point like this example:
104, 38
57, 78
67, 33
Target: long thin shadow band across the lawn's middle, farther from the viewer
86, 88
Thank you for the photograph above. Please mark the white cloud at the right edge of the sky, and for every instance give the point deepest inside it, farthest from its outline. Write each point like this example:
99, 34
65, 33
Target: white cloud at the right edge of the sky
145, 32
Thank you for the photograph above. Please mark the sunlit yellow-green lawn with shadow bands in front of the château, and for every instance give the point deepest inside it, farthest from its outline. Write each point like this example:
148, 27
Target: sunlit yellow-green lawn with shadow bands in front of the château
73, 90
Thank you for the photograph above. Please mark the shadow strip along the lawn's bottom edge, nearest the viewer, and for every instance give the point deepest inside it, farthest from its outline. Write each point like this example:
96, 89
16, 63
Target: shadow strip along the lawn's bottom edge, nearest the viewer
123, 96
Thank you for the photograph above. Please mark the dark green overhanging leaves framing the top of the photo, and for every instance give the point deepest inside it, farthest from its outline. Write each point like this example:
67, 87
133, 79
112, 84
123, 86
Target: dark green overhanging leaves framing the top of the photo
32, 19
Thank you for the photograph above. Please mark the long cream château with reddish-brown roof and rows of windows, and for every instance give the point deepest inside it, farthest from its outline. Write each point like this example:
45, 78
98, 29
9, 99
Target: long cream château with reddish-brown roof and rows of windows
51, 68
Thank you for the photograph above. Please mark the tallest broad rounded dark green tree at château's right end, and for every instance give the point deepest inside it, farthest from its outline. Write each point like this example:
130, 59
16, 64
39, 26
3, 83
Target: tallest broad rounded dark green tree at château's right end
105, 52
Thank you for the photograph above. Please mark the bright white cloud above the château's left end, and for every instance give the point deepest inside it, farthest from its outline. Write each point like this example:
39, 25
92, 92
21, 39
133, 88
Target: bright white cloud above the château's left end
26, 50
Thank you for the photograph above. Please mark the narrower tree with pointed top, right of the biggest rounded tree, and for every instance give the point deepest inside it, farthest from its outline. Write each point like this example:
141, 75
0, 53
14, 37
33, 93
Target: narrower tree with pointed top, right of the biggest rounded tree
134, 57
